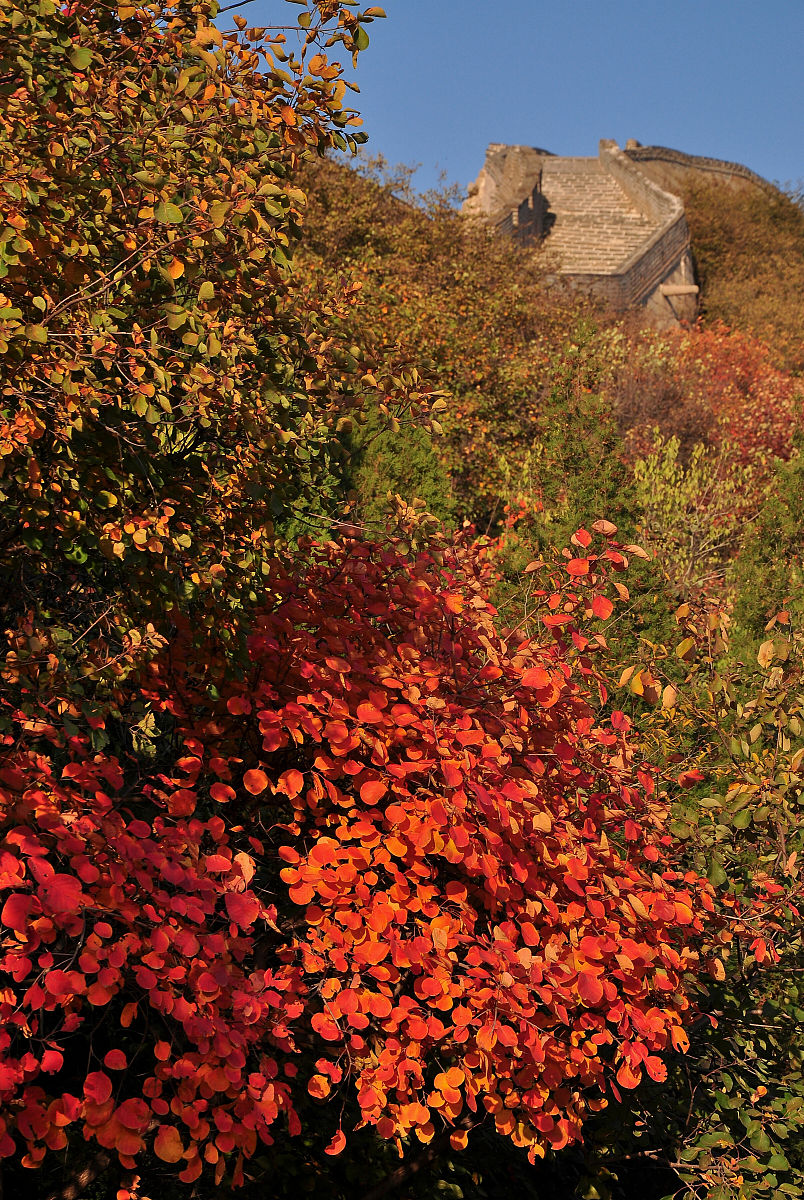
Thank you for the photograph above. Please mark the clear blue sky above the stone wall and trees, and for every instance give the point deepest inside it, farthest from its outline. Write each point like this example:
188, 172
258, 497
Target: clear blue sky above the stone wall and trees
442, 79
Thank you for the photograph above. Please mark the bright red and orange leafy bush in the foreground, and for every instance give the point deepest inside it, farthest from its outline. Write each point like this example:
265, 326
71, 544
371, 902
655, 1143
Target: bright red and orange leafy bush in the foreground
404, 856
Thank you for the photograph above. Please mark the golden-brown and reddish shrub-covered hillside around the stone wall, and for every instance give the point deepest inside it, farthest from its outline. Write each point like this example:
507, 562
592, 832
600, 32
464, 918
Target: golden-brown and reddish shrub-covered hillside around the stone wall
478, 313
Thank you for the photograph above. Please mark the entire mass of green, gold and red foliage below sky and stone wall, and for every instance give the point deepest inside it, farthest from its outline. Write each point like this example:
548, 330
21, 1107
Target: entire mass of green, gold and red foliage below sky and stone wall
375, 813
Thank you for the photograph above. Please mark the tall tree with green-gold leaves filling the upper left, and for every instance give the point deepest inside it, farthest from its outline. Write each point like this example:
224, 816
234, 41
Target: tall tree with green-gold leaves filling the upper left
170, 391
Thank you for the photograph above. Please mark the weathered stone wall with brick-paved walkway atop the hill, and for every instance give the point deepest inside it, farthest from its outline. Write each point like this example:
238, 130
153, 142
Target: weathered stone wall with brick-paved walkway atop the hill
614, 225
